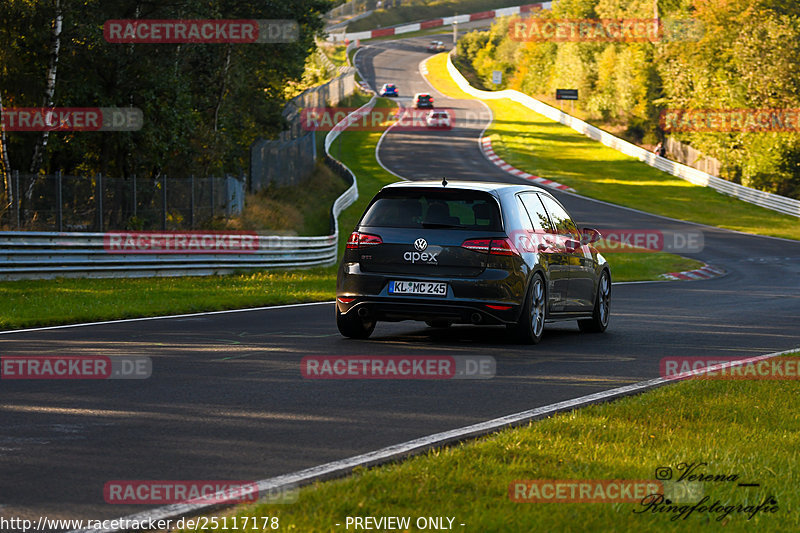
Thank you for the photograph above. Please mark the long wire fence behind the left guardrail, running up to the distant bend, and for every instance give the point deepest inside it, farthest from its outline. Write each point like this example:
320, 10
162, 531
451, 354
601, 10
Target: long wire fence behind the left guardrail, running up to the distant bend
101, 203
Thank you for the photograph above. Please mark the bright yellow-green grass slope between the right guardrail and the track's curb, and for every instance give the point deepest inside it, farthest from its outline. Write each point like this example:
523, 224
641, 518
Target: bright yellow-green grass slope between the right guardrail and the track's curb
538, 145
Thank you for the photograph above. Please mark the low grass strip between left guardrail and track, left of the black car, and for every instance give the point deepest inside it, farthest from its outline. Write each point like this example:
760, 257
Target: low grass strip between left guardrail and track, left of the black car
69, 301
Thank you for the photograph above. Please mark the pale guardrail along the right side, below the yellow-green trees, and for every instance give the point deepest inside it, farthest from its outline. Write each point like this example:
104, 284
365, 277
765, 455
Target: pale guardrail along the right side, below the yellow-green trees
775, 202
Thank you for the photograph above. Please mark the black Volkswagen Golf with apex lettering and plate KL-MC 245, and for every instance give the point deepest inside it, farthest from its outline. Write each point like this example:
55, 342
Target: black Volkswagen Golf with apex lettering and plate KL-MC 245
470, 253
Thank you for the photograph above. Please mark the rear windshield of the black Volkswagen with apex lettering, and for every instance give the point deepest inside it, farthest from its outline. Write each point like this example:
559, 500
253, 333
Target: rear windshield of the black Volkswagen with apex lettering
430, 209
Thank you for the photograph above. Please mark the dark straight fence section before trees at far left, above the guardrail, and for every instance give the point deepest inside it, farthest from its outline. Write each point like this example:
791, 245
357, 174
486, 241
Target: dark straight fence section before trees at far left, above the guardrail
100, 203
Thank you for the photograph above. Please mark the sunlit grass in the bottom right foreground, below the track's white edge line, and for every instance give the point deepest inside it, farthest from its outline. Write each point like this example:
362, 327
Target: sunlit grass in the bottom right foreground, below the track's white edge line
750, 429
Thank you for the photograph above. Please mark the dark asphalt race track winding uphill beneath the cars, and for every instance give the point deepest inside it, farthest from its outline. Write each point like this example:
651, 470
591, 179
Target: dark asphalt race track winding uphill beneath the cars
226, 400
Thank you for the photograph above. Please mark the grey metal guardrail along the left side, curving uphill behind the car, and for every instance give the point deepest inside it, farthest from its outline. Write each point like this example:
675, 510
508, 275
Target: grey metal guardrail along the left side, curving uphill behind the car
44, 255
